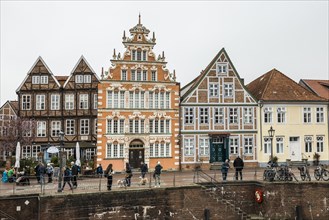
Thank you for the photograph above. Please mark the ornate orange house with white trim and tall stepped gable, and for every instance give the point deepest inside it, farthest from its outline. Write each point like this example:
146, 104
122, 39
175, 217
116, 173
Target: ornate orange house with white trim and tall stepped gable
138, 111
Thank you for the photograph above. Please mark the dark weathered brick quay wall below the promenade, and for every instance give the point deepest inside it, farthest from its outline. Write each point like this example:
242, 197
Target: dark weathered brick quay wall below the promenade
186, 202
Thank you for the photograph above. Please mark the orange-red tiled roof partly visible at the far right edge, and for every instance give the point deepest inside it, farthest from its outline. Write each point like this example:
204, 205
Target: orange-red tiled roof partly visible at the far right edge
319, 87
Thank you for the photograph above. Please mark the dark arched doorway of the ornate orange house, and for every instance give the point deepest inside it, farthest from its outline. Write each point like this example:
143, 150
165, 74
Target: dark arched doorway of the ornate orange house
136, 153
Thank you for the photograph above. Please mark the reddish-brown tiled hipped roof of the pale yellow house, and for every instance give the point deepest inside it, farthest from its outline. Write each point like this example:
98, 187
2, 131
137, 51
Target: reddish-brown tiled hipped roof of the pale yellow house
275, 86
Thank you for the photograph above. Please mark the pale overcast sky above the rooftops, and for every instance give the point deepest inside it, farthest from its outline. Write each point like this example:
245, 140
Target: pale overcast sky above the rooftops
258, 36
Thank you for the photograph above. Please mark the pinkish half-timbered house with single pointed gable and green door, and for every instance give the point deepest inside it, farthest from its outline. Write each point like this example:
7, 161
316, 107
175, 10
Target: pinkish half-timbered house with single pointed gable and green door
218, 116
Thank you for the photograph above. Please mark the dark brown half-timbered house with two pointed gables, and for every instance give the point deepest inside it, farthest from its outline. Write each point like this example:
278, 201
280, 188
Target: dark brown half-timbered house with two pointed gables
60, 103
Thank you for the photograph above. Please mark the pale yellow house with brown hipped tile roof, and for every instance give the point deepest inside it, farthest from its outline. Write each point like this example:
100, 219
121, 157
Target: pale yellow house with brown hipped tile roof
298, 117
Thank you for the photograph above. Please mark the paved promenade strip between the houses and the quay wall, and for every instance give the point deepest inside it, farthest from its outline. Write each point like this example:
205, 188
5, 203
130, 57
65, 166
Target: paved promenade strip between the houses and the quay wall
168, 179
